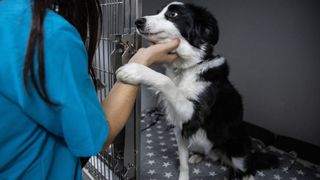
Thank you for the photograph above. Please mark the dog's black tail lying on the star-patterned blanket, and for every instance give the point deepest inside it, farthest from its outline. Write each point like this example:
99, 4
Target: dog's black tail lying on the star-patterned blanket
260, 161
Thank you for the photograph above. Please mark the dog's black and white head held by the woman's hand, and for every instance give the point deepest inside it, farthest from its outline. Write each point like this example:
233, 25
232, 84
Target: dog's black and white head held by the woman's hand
195, 26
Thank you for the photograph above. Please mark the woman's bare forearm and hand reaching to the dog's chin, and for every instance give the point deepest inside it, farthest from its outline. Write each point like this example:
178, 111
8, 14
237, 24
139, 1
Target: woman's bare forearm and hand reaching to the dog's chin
120, 100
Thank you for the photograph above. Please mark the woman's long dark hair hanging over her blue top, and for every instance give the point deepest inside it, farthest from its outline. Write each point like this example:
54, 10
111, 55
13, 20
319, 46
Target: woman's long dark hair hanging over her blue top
84, 15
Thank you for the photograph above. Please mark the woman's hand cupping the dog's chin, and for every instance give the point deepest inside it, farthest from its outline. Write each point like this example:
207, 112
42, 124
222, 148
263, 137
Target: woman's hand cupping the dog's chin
156, 54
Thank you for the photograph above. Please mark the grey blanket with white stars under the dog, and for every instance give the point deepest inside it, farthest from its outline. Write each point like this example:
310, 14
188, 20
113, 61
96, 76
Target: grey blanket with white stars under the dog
159, 157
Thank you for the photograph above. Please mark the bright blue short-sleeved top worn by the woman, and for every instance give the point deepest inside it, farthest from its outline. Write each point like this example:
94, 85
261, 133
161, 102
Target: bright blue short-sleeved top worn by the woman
37, 140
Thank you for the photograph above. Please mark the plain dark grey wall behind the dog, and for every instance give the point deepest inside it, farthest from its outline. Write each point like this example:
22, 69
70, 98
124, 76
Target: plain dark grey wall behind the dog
273, 48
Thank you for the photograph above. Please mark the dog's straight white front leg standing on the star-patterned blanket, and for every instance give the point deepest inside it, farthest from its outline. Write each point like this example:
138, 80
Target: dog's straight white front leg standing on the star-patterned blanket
183, 155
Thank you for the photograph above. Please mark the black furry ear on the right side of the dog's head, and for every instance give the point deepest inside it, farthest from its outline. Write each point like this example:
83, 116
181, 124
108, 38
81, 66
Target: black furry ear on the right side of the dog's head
204, 25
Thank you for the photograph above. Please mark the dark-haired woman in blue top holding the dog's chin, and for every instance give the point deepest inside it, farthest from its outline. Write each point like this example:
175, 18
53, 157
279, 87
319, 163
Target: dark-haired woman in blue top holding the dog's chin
50, 114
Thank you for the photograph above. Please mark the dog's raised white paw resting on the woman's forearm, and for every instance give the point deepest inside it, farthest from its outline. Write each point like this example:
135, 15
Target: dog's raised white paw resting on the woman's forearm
131, 73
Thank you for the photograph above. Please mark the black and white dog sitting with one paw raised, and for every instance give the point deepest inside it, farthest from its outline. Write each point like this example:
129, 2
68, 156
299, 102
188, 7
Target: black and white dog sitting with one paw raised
199, 99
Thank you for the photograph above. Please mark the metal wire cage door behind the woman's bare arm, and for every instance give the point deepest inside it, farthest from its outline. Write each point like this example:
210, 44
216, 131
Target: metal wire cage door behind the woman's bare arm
120, 161
